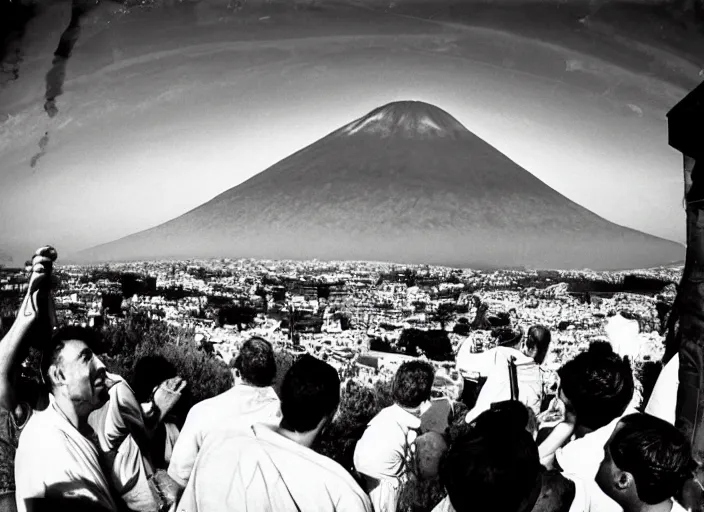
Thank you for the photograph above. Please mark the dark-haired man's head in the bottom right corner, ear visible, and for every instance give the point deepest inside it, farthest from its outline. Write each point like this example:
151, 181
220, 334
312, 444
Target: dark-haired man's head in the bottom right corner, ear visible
646, 462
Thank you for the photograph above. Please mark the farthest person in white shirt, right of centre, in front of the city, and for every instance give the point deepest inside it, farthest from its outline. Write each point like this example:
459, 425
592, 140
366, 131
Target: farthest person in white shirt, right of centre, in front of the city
529, 354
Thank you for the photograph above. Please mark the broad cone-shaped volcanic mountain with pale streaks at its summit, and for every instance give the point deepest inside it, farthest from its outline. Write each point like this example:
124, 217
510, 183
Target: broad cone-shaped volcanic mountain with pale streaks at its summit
405, 183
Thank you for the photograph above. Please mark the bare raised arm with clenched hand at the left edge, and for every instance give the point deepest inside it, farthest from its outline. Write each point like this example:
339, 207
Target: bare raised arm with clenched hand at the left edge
35, 306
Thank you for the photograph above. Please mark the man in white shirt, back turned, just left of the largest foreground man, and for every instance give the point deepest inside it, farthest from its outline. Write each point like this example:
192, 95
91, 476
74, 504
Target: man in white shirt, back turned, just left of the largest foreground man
251, 400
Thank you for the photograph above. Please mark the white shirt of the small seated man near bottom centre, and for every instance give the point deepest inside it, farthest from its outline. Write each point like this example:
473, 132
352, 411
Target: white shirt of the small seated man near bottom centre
382, 451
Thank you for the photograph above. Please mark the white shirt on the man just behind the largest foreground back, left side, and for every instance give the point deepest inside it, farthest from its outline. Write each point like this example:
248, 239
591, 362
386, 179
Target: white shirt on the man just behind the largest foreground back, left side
237, 408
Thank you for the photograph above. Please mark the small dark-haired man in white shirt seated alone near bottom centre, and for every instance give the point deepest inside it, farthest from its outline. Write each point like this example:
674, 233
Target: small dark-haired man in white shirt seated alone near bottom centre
381, 453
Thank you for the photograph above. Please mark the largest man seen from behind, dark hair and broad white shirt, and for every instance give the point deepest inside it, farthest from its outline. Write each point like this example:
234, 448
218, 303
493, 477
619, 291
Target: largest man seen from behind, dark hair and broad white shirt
273, 467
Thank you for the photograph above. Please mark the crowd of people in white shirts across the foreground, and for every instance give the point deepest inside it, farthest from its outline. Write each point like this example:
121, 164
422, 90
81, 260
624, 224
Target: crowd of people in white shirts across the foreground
95, 442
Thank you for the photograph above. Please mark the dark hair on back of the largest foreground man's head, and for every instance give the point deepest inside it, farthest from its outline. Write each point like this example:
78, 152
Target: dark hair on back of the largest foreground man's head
310, 392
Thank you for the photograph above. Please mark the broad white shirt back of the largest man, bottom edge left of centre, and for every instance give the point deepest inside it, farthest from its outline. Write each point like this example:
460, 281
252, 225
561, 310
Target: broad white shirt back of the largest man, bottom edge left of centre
263, 471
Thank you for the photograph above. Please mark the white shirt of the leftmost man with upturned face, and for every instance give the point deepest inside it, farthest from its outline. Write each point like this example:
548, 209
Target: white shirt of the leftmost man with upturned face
54, 460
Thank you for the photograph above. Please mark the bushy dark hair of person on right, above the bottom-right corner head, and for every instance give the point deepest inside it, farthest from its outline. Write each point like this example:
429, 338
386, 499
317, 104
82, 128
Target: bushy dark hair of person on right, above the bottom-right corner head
598, 383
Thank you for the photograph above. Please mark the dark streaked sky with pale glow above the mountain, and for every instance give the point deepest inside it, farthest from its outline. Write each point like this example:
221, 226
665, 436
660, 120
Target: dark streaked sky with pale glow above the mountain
115, 118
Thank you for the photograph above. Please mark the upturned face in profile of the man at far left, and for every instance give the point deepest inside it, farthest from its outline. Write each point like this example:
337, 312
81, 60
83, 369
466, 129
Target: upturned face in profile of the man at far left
84, 374
